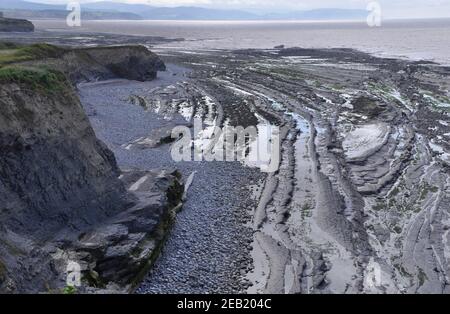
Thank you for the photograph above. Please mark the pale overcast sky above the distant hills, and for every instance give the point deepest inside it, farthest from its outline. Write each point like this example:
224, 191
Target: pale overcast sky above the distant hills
390, 8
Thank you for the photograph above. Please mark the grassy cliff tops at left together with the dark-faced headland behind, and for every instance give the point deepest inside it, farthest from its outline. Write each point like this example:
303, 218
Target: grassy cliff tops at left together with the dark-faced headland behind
44, 67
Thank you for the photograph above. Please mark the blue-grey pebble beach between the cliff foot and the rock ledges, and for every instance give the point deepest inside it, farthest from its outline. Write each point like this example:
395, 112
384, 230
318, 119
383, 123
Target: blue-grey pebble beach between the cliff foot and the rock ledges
207, 230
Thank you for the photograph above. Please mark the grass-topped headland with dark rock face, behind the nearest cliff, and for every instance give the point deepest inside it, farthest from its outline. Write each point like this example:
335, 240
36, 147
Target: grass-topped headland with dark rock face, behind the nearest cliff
88, 64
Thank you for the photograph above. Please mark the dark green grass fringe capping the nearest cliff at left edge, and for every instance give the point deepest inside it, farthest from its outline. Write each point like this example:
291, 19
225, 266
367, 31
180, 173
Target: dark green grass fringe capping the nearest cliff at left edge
37, 79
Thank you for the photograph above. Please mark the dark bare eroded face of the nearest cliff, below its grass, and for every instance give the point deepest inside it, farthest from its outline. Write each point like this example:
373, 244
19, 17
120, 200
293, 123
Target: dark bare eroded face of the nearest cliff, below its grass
52, 168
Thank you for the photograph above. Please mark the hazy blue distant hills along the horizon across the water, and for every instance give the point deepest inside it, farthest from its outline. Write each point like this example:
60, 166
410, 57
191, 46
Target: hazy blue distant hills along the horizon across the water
114, 10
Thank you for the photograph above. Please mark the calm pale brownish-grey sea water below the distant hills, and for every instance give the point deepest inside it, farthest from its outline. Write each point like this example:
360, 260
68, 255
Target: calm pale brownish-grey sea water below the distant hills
418, 39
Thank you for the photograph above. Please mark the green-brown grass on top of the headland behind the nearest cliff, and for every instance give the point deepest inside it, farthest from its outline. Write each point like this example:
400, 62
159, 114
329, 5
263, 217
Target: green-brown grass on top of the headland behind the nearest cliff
13, 53
